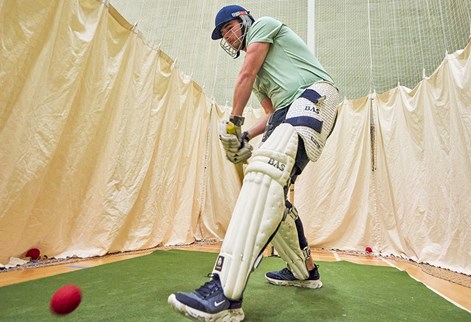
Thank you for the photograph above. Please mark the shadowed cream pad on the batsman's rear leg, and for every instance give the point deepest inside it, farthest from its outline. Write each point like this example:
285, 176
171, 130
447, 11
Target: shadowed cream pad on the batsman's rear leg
286, 243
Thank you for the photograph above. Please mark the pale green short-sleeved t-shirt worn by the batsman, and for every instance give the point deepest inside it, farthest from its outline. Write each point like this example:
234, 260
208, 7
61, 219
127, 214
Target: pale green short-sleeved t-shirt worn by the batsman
289, 68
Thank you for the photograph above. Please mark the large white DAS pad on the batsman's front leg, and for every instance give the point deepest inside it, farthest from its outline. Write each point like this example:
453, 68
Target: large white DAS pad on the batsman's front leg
258, 210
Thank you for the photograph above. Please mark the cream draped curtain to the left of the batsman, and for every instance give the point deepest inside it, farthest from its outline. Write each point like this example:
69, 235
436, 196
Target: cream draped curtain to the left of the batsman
104, 145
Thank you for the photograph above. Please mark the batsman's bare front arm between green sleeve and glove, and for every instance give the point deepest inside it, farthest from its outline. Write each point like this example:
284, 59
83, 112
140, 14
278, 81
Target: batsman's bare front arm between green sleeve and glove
254, 58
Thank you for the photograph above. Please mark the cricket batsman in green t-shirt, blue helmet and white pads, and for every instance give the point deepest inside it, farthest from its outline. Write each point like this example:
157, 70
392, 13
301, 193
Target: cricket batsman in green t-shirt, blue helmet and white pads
300, 101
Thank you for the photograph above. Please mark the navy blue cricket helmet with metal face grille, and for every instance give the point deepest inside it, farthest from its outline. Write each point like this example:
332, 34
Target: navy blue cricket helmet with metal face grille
225, 15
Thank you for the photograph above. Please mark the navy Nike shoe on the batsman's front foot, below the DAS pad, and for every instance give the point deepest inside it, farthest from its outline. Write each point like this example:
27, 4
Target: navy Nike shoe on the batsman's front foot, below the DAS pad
208, 303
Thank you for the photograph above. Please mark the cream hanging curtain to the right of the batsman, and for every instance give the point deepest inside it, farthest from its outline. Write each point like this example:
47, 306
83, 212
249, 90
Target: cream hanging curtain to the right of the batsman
409, 193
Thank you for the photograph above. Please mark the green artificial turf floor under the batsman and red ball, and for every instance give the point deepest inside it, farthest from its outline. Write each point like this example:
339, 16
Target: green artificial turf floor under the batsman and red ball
137, 290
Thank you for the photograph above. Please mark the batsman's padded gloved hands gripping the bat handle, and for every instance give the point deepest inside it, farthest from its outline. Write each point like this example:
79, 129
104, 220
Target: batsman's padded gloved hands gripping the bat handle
235, 143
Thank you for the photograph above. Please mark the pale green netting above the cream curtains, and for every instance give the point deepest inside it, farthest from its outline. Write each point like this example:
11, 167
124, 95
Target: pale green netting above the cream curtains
366, 45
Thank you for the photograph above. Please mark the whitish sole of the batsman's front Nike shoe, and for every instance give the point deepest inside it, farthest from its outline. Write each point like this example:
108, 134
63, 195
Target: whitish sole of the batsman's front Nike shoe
234, 315
